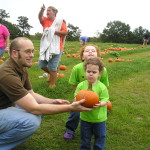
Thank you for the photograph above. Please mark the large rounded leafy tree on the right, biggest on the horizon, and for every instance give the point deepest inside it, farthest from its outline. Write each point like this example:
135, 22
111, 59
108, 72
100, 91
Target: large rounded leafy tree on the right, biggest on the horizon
116, 32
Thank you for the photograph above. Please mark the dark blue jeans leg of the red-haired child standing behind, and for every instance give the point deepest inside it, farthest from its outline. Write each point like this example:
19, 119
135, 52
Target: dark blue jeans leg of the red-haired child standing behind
72, 123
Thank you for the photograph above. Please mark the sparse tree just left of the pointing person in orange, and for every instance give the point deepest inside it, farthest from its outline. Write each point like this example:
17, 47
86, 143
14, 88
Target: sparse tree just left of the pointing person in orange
23, 25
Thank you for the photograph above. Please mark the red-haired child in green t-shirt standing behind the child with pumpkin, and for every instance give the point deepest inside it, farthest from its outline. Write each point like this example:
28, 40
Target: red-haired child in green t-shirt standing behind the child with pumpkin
78, 75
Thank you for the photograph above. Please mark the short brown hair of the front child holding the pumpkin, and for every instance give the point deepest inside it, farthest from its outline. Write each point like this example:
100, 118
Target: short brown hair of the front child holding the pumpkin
94, 61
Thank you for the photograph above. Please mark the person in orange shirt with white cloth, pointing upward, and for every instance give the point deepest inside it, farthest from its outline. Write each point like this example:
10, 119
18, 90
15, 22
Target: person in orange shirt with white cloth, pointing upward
52, 42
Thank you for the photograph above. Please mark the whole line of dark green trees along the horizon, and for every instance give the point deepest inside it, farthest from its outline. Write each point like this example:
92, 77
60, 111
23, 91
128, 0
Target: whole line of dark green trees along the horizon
114, 32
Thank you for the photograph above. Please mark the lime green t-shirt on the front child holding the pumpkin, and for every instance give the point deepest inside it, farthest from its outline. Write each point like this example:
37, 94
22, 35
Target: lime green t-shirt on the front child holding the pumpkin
99, 114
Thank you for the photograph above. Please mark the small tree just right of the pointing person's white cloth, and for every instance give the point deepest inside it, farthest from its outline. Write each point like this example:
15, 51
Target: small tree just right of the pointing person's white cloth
73, 33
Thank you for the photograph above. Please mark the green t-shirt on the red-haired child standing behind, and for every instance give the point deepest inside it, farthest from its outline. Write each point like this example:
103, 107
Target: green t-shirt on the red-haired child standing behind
78, 75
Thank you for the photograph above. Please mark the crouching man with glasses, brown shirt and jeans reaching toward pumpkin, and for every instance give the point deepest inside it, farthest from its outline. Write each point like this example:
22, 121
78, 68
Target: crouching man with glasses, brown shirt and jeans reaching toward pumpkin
20, 107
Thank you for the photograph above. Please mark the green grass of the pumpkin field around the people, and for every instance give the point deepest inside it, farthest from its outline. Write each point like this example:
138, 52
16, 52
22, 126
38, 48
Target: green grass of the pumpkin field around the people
128, 124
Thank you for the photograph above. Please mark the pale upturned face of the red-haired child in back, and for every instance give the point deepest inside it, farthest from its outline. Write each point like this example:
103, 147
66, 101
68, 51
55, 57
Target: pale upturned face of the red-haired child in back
89, 52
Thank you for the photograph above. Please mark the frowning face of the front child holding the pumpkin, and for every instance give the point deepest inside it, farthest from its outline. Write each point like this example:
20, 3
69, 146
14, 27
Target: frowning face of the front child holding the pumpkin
92, 73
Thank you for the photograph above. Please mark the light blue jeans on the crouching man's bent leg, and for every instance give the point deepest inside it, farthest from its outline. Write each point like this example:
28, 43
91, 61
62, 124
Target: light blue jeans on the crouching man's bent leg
16, 125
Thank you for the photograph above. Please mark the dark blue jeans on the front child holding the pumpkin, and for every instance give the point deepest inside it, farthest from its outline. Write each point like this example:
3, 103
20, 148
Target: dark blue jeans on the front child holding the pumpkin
87, 130
